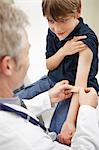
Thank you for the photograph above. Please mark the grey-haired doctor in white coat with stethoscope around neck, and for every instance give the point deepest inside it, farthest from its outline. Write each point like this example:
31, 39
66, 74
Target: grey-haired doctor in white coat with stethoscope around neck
19, 129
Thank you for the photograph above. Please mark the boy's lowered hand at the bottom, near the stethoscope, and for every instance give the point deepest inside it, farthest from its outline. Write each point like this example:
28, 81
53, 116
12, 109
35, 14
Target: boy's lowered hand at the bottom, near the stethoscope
66, 134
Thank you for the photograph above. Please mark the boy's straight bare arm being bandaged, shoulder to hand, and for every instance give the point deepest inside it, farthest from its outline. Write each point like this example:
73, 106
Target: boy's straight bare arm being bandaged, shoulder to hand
84, 63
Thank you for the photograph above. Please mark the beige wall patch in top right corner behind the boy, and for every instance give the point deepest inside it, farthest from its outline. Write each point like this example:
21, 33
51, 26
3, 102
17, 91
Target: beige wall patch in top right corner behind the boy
90, 12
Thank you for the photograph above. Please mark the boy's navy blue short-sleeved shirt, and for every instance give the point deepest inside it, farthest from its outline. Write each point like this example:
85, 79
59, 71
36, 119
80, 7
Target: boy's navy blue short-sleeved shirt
68, 67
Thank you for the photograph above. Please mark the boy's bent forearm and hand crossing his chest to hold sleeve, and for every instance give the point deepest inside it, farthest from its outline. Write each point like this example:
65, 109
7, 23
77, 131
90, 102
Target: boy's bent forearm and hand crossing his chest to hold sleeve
71, 47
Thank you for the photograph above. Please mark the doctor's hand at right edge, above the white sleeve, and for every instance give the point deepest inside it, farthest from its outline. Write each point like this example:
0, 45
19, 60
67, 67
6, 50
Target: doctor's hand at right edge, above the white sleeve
88, 96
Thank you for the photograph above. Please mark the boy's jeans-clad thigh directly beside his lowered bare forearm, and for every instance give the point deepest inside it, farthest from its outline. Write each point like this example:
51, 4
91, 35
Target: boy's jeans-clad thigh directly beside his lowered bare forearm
59, 116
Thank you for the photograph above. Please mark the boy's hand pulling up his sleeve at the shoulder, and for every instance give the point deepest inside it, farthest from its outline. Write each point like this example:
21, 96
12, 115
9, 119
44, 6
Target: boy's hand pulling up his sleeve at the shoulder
73, 46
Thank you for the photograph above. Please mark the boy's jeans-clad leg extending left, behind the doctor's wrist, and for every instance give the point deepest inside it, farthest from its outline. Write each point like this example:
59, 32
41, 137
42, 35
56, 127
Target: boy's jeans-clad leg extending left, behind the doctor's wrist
36, 88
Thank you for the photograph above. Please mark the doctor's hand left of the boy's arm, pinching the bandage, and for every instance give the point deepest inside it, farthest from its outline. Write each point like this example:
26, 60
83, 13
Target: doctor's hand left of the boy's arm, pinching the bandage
61, 91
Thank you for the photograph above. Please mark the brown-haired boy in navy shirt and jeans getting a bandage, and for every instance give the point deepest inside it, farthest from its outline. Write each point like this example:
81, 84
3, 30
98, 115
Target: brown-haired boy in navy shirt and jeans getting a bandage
80, 69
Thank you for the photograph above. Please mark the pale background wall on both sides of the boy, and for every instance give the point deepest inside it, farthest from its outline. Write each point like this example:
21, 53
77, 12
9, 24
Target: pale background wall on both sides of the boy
38, 31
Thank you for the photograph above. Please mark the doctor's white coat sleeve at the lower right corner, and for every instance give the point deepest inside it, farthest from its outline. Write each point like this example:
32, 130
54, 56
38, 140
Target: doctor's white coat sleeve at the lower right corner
87, 132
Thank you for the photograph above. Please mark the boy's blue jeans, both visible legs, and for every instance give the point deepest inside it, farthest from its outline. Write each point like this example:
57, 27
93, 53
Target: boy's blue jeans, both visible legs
42, 85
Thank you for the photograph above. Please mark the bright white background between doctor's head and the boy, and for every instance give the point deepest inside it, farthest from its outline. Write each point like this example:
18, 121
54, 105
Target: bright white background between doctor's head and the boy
37, 34
